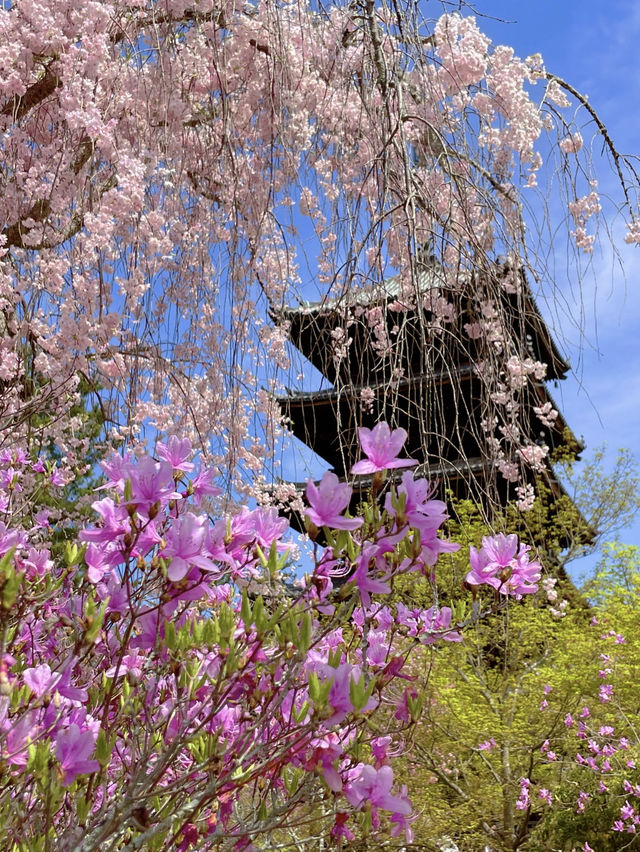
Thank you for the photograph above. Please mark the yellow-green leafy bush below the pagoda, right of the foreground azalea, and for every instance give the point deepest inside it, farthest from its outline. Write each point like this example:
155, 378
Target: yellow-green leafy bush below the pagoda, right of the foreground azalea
488, 690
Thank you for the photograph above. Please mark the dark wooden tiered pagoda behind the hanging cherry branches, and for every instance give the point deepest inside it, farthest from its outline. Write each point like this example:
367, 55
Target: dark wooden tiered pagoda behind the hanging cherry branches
416, 363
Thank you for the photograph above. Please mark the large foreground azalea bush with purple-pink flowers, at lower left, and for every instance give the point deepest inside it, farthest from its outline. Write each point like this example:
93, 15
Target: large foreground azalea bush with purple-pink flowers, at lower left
166, 684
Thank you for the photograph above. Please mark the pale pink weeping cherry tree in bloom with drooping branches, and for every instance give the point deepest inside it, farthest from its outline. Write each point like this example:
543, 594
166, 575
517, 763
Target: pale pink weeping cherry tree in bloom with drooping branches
122, 169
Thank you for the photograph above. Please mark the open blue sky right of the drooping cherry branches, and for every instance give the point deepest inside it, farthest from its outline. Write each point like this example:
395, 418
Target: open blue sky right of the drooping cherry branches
595, 47
